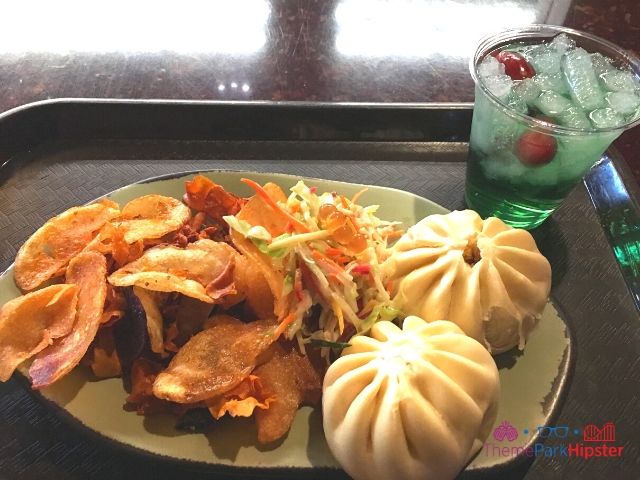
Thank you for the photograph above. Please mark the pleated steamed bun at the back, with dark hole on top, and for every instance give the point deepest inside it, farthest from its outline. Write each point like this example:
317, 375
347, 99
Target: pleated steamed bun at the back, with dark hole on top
488, 278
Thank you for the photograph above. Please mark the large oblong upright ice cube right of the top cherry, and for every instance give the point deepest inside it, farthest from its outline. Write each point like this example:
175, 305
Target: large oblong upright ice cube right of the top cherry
581, 78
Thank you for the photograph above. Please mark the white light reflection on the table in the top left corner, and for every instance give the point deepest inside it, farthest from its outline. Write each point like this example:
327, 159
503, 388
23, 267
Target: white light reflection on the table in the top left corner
149, 26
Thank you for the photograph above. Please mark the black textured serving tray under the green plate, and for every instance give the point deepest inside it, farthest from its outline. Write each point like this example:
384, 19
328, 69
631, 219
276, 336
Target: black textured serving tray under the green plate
56, 154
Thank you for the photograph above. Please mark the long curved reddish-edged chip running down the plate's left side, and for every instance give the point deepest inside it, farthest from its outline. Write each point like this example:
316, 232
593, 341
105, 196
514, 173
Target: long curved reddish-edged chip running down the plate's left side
88, 270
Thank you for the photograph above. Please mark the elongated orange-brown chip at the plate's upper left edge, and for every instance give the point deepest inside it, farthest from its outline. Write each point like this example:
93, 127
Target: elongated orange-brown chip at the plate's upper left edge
51, 247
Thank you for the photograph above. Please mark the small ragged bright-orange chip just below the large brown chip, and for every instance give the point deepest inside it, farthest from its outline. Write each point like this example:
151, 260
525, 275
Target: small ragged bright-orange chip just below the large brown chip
242, 400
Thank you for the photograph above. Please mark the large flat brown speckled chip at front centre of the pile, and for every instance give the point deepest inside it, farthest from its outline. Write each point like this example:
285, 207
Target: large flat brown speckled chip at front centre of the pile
215, 360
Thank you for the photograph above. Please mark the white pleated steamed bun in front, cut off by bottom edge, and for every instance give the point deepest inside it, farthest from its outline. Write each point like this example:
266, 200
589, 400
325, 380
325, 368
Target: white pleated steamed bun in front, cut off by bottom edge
410, 403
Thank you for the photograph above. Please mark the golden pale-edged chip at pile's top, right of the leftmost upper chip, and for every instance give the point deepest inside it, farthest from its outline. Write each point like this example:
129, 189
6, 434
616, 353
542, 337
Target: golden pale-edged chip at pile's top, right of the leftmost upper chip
151, 216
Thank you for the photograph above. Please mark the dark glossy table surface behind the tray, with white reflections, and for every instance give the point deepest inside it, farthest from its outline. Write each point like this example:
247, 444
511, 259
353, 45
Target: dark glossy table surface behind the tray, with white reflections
337, 51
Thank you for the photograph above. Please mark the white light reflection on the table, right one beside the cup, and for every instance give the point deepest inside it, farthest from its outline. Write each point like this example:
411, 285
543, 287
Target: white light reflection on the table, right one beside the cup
412, 28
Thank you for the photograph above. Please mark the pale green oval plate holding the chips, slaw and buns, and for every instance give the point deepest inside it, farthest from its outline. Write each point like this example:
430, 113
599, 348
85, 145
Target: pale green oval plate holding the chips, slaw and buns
532, 382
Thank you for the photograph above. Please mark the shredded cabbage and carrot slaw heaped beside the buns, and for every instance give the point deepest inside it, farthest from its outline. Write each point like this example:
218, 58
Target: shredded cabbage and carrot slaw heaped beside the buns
331, 256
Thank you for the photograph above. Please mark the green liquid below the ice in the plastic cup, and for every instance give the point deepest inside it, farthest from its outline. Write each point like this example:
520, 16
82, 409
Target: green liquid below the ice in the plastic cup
500, 185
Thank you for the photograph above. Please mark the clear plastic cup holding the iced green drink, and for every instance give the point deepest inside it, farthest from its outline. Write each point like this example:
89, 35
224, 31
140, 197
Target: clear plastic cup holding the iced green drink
521, 167
